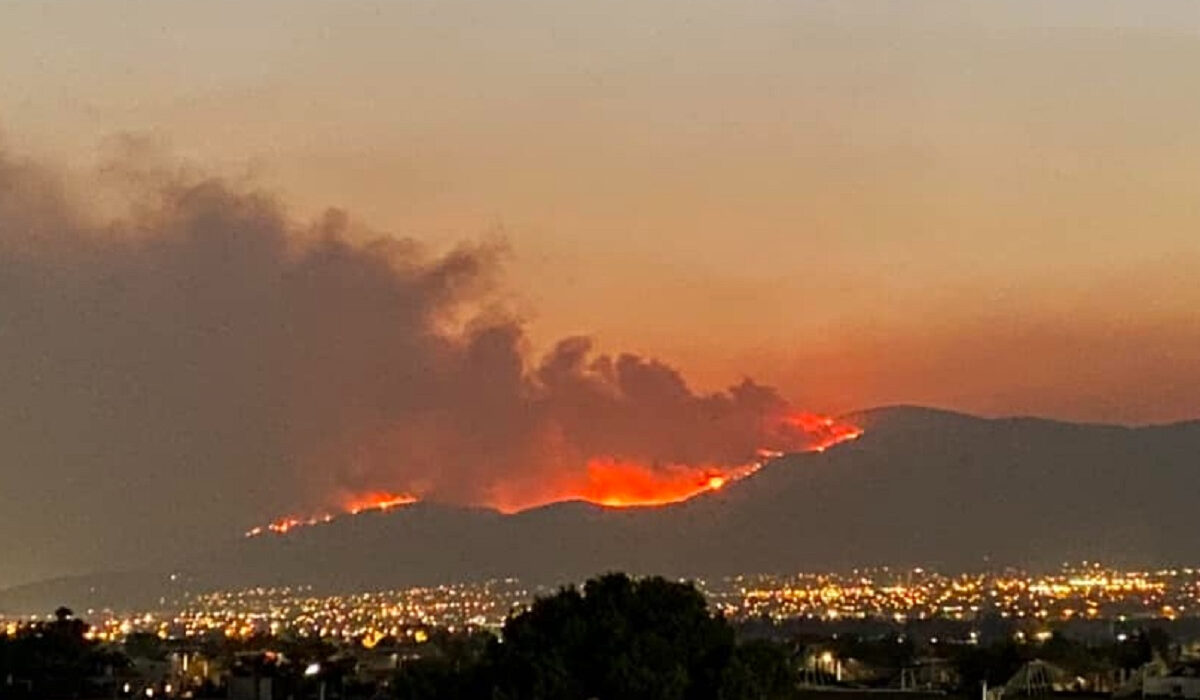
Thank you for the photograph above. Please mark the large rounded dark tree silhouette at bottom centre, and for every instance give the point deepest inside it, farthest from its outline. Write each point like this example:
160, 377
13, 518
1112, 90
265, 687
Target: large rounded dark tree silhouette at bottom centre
617, 638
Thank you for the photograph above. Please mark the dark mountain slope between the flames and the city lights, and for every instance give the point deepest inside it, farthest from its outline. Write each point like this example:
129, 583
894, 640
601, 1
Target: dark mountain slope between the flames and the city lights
922, 487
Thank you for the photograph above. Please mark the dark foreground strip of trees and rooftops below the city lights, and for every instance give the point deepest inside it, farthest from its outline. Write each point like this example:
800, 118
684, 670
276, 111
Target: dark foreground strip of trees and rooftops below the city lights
615, 637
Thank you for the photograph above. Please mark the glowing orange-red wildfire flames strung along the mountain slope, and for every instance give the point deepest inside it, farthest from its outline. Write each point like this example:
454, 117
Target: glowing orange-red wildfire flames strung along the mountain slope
627, 483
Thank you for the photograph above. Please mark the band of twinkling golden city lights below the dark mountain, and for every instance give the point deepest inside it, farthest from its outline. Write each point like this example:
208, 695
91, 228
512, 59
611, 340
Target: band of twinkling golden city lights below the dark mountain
897, 595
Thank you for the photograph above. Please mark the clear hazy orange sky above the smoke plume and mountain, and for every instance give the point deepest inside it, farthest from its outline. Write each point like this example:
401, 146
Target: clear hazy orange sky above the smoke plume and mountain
986, 207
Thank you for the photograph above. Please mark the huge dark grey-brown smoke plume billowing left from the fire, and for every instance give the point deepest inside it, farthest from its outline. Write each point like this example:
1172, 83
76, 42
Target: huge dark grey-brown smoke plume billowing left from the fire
203, 362
